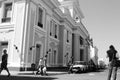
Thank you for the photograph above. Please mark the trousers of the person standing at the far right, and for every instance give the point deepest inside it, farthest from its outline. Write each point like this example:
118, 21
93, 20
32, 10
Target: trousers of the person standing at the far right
112, 70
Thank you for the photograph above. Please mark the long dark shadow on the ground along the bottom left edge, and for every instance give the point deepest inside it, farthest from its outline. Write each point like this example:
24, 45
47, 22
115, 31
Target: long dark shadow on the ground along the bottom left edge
2, 77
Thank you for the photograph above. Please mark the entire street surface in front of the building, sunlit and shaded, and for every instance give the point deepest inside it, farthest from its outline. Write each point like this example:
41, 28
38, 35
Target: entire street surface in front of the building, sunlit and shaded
100, 75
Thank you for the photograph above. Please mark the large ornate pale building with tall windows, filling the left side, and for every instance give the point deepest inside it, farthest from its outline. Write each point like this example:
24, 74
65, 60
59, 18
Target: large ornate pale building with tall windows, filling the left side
34, 29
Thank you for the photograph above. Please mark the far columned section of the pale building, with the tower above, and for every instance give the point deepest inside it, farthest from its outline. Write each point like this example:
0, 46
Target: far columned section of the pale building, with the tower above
80, 46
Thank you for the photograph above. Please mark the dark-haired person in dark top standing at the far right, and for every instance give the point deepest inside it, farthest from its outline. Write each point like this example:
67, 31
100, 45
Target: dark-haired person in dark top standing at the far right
111, 54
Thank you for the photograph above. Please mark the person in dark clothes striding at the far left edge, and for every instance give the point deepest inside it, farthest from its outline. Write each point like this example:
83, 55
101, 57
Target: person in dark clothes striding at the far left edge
4, 62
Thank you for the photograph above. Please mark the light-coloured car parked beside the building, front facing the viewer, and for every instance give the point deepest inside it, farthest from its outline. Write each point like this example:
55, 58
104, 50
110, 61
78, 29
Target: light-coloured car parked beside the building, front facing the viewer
79, 66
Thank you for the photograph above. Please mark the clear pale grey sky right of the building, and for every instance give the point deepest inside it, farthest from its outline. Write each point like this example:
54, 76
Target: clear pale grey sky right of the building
102, 20
